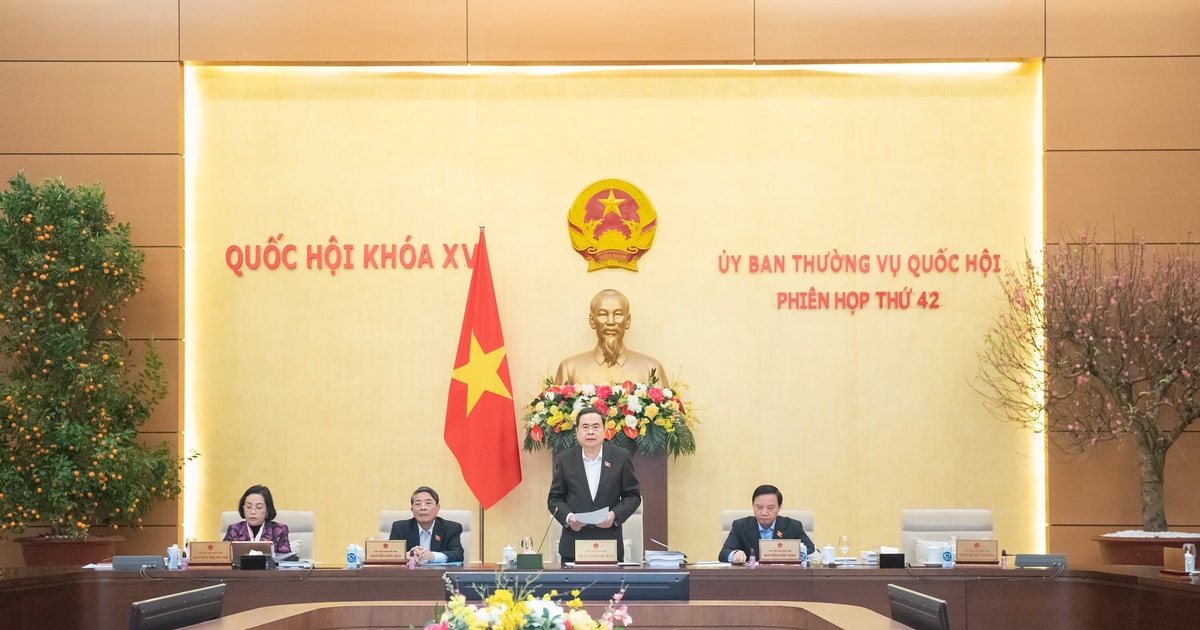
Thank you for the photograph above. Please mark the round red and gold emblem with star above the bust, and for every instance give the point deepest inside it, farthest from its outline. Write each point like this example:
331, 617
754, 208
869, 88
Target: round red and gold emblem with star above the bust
611, 224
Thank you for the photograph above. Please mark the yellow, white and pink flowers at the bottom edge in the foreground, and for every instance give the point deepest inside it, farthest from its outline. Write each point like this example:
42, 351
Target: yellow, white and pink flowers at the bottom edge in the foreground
518, 609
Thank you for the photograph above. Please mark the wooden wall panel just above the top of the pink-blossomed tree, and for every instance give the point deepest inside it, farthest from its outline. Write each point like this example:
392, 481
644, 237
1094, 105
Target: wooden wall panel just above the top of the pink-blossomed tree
1155, 193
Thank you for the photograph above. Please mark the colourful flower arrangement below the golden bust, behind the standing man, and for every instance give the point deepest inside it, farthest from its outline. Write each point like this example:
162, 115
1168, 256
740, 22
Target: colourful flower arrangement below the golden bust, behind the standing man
639, 417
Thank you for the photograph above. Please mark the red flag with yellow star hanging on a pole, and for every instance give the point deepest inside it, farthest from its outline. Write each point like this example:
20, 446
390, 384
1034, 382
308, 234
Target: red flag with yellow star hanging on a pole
482, 423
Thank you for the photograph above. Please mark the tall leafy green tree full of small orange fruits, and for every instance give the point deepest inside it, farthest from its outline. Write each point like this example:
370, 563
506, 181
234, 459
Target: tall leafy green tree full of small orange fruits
71, 403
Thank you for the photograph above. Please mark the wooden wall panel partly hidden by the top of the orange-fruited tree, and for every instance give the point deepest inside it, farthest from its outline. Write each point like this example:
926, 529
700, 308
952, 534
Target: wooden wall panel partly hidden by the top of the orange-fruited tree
146, 191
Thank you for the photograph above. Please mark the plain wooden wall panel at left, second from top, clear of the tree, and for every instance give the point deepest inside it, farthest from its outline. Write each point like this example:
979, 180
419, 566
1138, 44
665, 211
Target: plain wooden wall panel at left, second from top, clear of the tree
52, 107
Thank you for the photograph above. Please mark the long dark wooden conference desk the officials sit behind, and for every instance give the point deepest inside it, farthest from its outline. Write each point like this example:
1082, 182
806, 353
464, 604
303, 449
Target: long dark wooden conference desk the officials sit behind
980, 598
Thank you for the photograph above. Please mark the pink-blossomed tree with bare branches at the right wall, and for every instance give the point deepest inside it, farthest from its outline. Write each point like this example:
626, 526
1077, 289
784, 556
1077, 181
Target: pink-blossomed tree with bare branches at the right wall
1100, 343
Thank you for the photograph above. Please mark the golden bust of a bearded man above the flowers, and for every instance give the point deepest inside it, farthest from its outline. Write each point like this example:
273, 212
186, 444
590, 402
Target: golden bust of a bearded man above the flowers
610, 362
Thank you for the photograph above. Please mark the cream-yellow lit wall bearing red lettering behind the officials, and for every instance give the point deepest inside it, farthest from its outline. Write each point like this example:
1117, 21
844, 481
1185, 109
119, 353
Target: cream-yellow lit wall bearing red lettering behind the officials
331, 385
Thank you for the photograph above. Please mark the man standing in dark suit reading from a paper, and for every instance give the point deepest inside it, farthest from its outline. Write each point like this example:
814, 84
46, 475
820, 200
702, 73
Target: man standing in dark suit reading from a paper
589, 478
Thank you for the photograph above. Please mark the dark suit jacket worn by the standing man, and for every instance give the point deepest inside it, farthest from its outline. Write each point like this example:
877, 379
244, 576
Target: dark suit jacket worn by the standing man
569, 495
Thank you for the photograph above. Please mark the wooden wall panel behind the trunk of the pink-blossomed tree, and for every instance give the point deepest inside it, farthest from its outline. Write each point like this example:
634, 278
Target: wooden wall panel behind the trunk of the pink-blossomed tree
1102, 489
